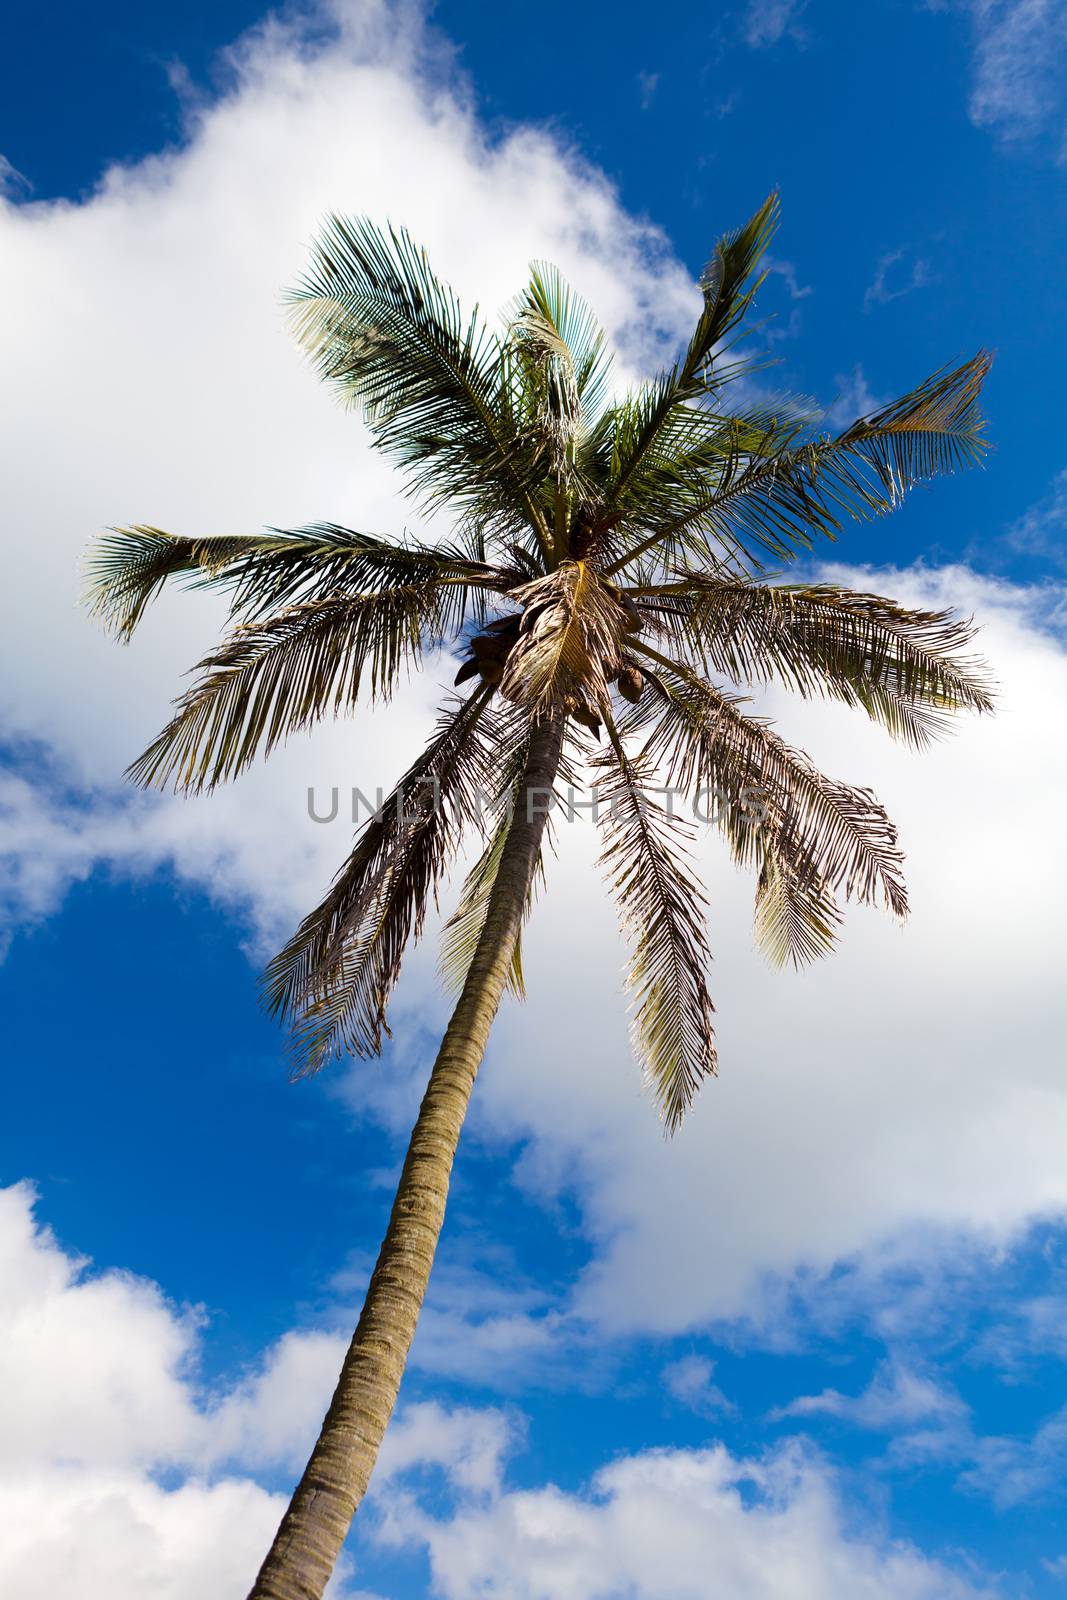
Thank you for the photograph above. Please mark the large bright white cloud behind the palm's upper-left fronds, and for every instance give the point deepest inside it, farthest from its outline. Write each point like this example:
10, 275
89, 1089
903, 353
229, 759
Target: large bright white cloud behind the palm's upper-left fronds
167, 386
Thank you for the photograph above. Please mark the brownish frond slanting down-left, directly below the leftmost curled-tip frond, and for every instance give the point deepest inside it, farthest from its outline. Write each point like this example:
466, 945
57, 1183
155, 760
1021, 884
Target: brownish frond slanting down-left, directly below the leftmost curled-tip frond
286, 673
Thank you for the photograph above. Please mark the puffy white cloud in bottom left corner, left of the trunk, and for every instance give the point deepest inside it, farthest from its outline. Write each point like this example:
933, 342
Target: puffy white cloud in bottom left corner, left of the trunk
100, 1382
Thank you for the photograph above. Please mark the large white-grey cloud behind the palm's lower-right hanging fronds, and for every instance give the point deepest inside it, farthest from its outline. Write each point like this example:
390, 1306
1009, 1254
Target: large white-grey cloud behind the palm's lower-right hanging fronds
911, 1089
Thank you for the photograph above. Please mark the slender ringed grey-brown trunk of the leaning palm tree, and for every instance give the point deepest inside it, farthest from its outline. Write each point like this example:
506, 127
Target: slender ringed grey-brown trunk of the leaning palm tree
335, 1481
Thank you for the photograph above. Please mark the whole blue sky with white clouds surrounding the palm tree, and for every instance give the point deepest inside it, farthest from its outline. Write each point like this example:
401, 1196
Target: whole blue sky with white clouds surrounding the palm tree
818, 1340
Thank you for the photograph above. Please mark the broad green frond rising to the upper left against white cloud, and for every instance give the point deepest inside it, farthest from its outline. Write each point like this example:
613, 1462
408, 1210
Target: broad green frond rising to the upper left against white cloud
393, 338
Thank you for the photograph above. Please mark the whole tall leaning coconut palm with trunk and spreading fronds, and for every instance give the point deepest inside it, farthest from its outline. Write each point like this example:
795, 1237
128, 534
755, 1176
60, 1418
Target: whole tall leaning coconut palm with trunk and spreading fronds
605, 585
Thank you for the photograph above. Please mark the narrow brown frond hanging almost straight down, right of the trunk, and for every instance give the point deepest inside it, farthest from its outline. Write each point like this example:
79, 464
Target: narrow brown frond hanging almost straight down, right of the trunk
661, 910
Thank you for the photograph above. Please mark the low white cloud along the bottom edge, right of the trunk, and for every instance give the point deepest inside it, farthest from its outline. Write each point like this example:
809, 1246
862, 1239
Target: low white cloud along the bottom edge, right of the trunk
674, 1522
